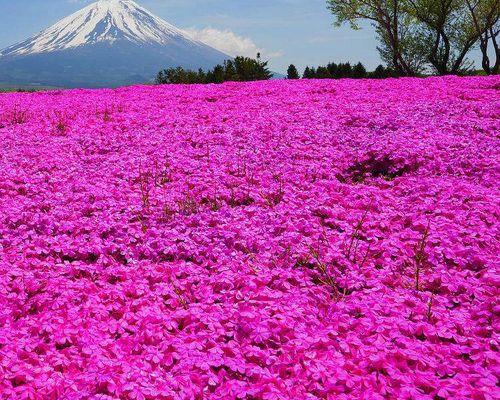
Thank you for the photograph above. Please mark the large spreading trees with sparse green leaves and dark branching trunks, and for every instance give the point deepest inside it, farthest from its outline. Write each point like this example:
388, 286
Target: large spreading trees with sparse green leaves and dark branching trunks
422, 36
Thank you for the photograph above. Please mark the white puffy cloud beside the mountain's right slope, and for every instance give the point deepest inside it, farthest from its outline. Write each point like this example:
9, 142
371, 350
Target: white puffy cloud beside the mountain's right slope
229, 42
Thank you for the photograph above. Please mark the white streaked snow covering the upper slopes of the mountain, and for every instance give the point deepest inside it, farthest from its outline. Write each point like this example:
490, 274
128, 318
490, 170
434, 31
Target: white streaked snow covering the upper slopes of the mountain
102, 21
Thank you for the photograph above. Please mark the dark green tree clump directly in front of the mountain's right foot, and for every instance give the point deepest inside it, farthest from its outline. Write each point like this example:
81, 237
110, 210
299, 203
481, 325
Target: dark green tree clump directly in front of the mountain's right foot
240, 69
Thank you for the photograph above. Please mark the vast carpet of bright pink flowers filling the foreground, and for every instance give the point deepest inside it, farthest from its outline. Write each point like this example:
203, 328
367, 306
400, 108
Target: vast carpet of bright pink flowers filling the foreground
278, 240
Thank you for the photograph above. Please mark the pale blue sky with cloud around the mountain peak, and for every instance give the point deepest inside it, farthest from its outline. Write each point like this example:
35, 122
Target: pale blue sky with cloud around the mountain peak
285, 31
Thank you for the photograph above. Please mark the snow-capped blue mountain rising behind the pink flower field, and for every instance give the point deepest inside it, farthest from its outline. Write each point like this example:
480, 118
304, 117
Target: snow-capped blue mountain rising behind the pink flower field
107, 43
